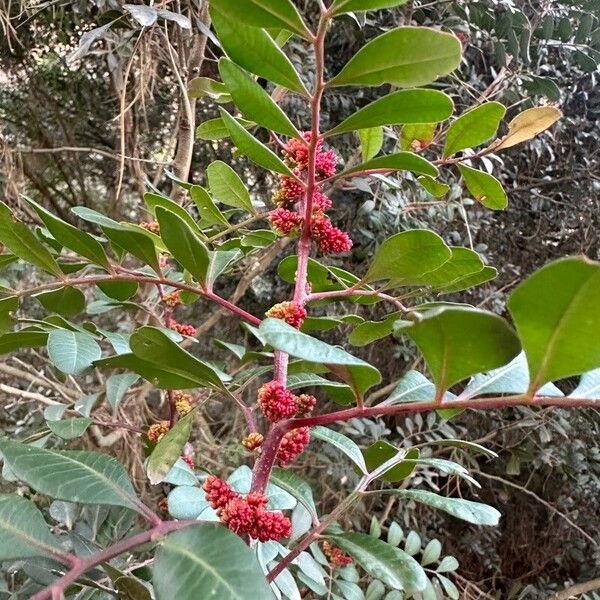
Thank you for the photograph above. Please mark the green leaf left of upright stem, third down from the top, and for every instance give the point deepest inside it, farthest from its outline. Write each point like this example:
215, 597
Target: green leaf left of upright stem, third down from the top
253, 101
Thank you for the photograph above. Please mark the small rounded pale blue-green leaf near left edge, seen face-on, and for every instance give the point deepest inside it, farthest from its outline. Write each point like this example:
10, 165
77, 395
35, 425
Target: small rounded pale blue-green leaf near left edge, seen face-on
72, 352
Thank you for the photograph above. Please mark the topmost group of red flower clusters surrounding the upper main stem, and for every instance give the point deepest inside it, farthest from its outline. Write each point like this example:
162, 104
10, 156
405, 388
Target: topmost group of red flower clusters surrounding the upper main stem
287, 218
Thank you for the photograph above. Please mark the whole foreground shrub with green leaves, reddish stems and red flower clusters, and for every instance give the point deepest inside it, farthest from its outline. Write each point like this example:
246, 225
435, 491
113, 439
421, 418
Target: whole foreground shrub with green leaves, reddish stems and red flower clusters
261, 533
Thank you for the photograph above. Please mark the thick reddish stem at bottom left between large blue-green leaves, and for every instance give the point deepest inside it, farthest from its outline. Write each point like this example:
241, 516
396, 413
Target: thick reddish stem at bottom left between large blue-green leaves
81, 565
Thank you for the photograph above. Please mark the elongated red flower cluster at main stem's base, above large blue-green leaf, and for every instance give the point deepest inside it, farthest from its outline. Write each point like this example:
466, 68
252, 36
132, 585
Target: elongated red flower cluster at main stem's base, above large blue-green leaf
246, 516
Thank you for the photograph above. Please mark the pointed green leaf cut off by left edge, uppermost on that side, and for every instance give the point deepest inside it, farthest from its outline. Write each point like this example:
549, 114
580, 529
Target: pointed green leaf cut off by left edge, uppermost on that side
22, 242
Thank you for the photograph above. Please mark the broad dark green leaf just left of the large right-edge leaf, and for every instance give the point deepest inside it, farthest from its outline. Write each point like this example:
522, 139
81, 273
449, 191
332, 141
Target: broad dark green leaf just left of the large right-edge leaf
459, 342
